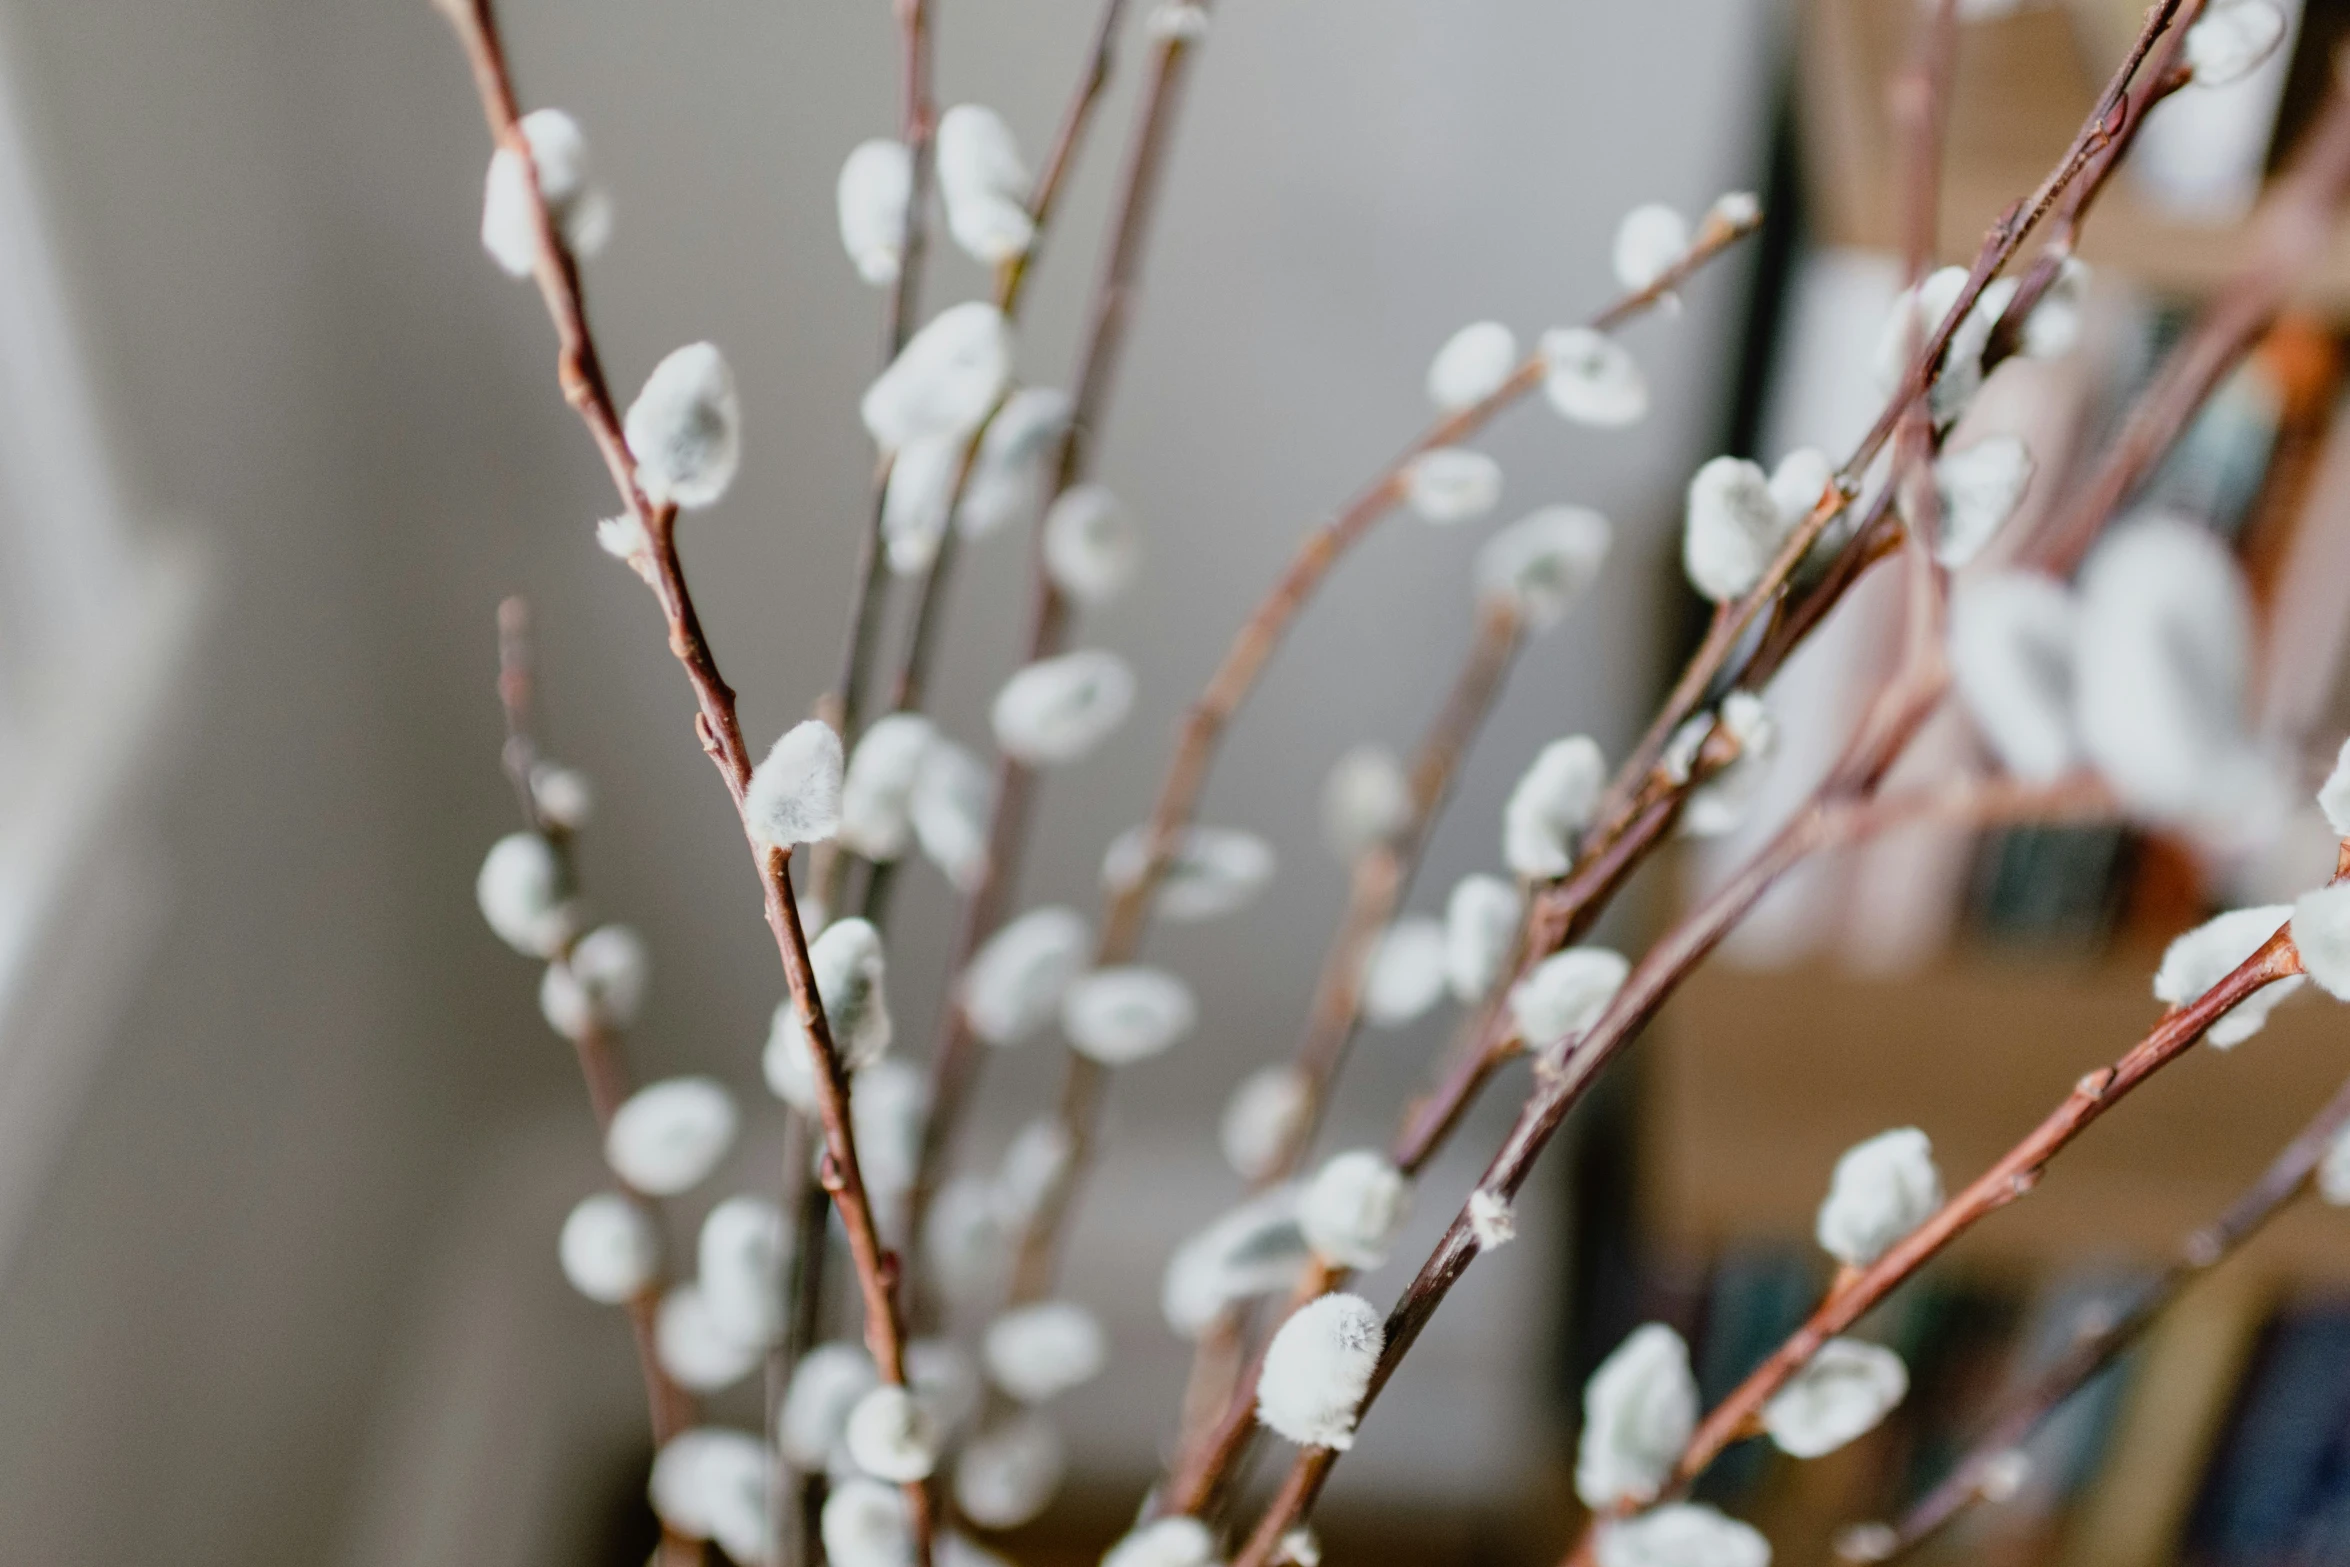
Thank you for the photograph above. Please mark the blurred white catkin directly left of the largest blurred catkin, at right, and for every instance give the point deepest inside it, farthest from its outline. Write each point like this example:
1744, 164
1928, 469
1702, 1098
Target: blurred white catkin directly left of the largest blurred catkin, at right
2013, 664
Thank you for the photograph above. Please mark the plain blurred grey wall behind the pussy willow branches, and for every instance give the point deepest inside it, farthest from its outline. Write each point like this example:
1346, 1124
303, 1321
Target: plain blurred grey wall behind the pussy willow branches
318, 1166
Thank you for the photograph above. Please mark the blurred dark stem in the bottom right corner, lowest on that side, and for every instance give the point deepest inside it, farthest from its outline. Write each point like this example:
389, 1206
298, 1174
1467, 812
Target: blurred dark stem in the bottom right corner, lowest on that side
2104, 1343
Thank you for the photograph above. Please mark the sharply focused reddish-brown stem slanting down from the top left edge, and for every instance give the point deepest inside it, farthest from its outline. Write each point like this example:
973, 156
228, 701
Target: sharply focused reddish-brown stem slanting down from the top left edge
716, 711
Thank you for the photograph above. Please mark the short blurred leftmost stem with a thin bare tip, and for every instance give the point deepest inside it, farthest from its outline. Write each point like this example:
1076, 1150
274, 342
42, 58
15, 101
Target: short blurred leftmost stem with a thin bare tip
603, 1065
